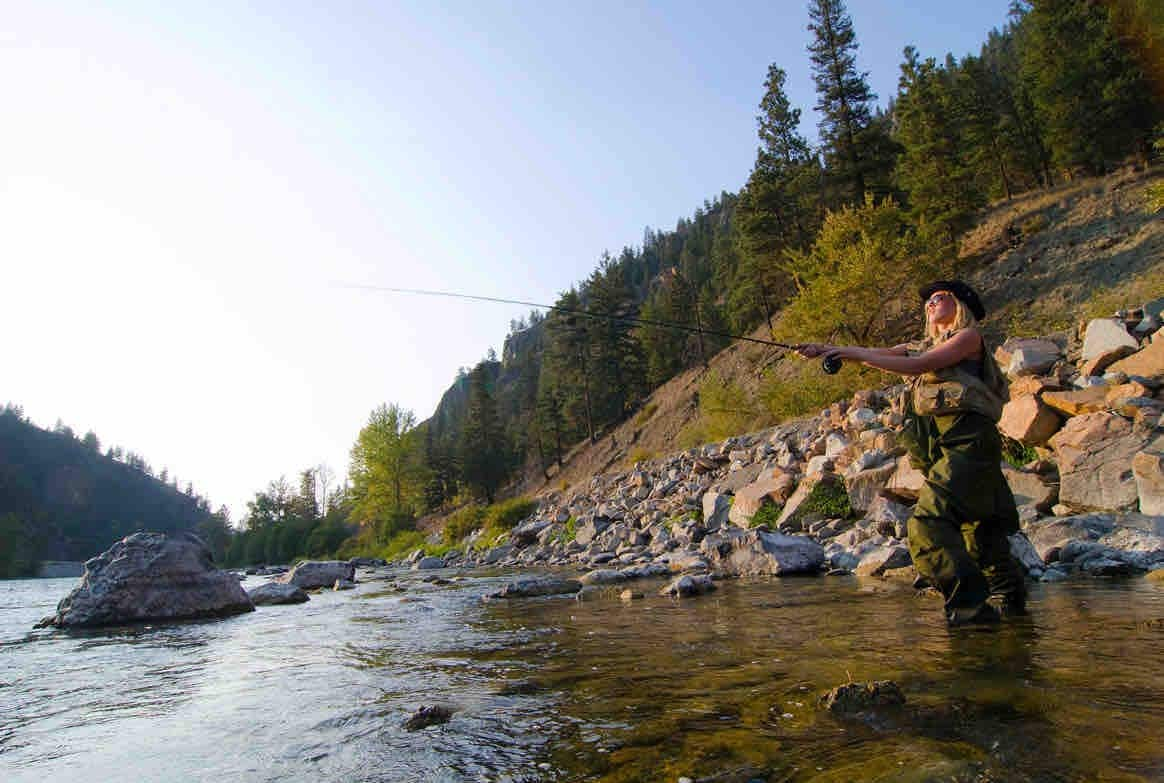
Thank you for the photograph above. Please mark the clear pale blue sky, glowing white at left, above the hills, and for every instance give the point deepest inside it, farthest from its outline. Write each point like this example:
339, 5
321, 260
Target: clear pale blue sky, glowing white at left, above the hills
184, 188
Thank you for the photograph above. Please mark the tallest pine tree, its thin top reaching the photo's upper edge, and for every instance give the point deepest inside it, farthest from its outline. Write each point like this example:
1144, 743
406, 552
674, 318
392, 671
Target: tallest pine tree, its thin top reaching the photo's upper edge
844, 98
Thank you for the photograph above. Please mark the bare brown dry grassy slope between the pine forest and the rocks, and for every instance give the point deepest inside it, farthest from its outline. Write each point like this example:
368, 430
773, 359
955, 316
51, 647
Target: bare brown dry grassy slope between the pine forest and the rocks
1077, 239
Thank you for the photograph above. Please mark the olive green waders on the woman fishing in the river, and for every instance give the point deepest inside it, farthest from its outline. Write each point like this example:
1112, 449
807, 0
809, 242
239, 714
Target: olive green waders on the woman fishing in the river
966, 511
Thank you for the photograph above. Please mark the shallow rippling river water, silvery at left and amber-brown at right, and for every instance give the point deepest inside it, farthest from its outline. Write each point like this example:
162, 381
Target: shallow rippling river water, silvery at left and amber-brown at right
722, 688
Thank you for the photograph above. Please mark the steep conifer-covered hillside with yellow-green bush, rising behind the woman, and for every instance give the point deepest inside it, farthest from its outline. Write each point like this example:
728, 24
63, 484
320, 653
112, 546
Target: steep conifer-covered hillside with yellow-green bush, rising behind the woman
822, 240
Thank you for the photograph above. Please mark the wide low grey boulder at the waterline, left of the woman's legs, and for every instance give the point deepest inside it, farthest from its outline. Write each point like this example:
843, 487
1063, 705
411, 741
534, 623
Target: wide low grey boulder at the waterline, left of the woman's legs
736, 552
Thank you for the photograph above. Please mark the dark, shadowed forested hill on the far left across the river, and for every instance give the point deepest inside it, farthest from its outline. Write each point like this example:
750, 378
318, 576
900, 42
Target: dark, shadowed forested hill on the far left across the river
61, 499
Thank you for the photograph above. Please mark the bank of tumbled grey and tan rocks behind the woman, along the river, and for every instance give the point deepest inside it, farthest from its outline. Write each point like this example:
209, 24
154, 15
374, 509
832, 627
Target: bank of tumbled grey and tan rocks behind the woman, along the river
834, 492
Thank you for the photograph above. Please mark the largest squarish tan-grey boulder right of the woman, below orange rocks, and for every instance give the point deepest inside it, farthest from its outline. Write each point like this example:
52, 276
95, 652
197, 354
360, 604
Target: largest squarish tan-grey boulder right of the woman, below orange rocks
1095, 454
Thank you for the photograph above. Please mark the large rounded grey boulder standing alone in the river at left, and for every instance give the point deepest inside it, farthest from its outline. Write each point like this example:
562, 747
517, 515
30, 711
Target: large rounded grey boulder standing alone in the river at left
151, 576
